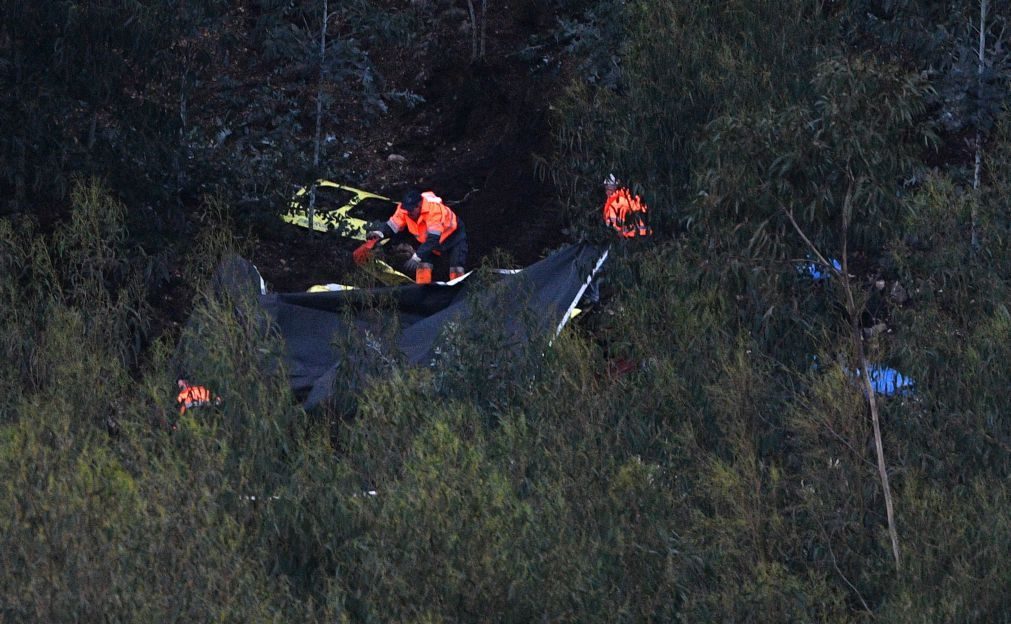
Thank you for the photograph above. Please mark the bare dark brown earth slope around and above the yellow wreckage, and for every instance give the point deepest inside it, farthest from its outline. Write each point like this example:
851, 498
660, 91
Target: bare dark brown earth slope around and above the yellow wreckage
472, 143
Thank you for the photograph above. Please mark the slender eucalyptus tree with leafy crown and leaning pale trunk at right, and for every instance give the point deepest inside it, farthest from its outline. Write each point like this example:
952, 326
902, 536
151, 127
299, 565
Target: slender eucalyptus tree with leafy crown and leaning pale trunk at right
815, 183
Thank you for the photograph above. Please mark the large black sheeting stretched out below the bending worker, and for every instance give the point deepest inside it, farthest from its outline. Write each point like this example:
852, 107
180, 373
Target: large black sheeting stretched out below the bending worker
315, 325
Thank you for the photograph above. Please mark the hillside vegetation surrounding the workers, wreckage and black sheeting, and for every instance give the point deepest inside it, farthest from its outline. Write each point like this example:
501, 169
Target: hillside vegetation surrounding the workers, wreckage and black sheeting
703, 447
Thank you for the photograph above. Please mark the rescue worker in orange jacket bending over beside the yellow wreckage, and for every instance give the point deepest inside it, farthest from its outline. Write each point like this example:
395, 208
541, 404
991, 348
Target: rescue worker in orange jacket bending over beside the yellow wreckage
435, 226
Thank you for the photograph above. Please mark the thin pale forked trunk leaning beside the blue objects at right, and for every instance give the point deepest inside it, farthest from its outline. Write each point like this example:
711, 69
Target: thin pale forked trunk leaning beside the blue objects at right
859, 345
